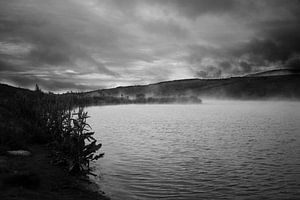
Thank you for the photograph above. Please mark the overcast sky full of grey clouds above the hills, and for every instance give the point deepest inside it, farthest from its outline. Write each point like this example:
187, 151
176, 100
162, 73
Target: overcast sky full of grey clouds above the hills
76, 45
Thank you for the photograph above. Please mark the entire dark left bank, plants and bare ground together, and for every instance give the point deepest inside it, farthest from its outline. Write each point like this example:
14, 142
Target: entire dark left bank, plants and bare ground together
54, 129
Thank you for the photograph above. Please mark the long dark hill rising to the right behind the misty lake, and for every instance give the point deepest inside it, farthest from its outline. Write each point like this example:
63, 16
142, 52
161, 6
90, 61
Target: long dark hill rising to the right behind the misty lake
249, 87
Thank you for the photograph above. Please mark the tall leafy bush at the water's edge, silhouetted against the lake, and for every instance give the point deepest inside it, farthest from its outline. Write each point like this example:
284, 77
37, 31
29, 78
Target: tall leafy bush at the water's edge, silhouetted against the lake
77, 143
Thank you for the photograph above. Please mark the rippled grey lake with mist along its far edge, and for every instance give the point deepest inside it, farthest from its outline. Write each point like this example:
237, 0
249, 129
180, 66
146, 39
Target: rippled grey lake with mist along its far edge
214, 150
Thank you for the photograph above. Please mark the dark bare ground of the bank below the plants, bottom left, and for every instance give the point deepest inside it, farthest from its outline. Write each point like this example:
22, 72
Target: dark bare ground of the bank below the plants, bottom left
42, 180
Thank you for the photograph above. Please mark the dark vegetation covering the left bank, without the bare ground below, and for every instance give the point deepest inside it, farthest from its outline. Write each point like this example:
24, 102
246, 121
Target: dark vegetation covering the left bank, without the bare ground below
34, 117
